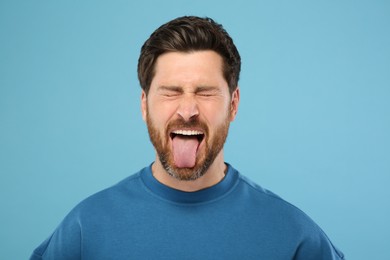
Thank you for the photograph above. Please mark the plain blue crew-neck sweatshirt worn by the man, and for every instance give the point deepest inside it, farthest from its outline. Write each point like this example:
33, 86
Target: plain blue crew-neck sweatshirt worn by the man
140, 218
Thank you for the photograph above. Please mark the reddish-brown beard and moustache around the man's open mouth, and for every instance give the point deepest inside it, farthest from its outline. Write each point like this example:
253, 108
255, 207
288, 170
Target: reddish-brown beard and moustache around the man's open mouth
212, 146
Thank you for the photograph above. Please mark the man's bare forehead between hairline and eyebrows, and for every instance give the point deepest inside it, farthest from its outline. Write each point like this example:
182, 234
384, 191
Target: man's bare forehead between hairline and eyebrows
186, 67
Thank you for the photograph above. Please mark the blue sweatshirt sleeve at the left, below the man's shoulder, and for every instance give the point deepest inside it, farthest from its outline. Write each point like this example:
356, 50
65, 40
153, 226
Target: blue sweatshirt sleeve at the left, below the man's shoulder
64, 243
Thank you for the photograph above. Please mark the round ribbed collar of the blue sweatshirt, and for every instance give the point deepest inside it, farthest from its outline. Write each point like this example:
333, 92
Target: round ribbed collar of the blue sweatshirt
201, 196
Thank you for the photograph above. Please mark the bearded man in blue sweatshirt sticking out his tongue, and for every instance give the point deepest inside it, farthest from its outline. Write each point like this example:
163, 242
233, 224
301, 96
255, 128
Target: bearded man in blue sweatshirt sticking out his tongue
189, 204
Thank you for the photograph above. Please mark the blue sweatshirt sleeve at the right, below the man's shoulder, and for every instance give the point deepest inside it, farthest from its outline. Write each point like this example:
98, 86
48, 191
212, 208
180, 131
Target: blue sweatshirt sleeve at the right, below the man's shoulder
318, 247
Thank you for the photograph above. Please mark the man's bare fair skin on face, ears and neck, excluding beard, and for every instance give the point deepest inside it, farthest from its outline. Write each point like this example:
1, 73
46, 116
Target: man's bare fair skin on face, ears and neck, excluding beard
188, 86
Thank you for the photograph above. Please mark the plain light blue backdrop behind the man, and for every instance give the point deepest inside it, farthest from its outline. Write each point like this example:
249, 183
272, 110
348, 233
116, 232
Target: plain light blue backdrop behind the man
313, 123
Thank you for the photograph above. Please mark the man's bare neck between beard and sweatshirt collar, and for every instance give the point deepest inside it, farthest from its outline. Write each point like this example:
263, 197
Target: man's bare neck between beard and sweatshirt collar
214, 174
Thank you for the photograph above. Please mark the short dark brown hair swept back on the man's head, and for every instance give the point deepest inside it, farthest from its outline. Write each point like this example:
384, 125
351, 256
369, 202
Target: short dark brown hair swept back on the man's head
189, 34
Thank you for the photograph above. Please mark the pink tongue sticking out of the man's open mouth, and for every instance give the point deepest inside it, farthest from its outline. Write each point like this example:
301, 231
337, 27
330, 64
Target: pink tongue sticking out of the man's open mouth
184, 151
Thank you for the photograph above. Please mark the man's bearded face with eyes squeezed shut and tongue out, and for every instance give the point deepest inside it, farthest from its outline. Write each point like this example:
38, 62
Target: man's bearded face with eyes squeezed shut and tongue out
188, 111
